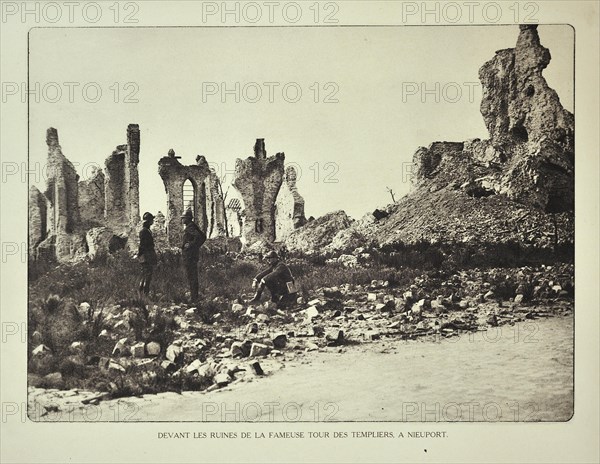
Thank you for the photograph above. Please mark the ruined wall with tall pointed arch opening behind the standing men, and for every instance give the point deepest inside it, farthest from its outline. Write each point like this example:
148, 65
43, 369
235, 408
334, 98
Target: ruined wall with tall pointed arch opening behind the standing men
174, 175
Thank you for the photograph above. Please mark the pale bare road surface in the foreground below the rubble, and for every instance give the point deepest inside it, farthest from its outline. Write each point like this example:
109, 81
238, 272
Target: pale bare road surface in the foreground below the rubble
522, 372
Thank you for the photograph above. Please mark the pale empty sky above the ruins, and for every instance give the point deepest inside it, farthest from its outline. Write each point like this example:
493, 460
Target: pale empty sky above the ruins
362, 140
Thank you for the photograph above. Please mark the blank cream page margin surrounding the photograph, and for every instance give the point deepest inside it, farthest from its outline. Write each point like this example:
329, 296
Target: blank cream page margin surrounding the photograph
574, 441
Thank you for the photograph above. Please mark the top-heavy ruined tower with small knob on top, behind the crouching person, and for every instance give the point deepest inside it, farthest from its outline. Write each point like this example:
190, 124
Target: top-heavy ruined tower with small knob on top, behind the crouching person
258, 180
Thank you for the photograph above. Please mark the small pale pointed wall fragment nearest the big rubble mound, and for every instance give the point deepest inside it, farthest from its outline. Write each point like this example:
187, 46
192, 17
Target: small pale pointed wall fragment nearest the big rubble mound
289, 207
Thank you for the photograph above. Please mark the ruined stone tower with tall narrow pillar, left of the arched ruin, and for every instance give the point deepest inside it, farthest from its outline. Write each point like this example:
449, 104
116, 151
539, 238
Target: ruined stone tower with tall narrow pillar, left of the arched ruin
122, 200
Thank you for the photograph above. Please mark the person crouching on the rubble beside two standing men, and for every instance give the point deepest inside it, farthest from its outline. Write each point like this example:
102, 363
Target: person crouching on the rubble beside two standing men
278, 279
